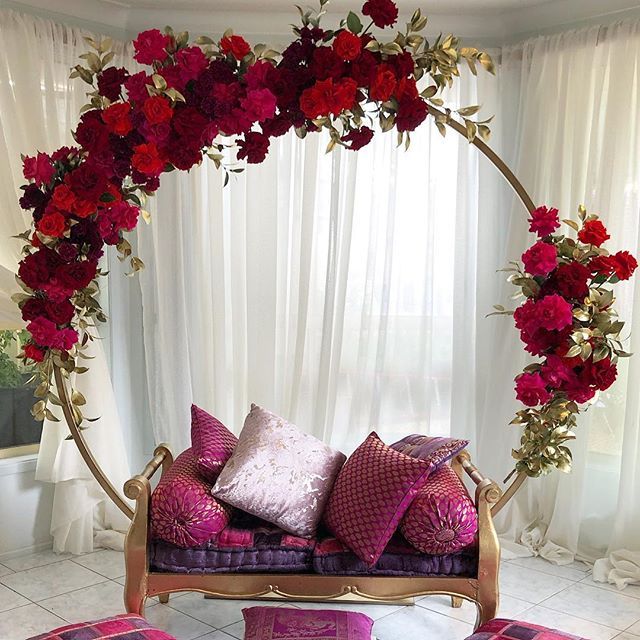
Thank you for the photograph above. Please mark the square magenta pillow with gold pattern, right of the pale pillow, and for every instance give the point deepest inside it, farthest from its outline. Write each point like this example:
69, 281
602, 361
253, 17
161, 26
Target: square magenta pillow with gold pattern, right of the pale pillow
371, 494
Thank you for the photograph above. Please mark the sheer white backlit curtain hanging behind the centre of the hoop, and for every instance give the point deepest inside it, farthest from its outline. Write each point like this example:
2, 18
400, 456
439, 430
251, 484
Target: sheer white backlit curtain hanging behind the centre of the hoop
339, 290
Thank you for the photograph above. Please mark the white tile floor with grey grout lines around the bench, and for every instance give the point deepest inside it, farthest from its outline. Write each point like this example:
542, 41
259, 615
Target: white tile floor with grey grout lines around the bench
41, 591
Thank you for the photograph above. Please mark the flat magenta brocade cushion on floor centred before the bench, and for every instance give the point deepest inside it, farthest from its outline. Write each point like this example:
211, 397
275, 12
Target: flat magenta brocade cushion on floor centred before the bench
281, 623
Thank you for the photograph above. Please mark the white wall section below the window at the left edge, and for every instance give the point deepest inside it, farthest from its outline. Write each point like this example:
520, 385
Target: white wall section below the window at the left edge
25, 508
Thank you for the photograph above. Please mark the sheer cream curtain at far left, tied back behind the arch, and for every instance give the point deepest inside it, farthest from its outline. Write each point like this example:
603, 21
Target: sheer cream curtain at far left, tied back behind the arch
39, 105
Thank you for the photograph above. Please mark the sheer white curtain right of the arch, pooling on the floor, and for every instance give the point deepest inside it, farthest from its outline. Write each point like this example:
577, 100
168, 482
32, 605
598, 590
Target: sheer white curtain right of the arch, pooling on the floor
577, 137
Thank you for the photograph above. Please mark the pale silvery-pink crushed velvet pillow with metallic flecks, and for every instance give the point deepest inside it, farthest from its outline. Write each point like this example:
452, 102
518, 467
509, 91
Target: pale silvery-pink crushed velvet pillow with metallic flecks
279, 473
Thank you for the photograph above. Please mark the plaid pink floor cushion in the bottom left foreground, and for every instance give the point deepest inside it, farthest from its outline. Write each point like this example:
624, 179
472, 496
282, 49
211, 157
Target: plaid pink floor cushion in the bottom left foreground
127, 626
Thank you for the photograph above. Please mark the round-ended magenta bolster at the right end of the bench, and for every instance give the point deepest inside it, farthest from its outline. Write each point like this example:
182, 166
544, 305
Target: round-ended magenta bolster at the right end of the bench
442, 519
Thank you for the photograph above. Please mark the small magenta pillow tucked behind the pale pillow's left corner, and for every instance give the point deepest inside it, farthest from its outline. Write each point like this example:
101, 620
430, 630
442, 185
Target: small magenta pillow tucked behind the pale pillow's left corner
212, 443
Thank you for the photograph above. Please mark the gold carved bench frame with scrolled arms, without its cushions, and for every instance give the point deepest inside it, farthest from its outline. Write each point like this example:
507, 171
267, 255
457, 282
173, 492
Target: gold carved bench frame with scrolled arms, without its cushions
142, 583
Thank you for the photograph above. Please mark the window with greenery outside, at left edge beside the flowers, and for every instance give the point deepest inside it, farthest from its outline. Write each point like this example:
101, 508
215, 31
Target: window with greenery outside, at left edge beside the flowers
19, 432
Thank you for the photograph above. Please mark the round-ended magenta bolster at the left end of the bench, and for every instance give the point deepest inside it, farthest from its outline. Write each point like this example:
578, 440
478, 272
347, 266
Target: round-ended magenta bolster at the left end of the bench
183, 511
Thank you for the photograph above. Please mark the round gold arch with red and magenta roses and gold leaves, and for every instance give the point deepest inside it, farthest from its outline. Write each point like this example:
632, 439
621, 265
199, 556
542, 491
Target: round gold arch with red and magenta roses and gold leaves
226, 100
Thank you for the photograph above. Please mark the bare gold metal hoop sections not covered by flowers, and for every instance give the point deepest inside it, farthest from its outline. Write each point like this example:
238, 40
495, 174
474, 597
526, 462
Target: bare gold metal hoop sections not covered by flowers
115, 495
